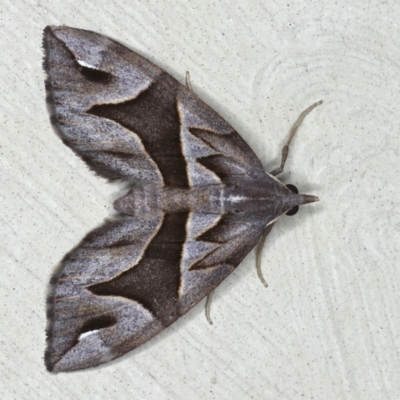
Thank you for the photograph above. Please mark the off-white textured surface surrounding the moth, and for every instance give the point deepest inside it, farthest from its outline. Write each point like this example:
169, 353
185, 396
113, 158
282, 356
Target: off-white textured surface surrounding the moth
328, 325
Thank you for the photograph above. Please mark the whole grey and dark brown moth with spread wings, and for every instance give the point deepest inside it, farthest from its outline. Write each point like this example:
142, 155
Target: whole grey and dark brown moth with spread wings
198, 201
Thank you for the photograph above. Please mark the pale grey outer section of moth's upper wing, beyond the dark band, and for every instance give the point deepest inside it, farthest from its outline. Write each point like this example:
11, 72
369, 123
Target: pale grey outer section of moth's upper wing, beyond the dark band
83, 70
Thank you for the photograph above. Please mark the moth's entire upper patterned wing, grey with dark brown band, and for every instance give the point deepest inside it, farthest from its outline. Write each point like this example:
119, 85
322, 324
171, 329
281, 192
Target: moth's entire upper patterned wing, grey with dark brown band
130, 120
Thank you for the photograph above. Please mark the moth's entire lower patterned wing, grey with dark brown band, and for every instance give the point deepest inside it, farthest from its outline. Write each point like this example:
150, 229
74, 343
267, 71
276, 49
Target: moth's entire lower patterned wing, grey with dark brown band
129, 279
